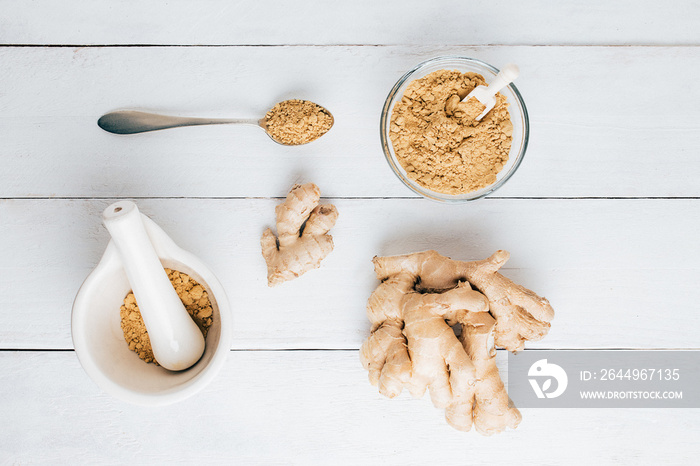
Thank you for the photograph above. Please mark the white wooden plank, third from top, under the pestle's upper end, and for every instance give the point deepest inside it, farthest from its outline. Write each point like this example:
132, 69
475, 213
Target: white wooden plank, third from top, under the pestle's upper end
616, 271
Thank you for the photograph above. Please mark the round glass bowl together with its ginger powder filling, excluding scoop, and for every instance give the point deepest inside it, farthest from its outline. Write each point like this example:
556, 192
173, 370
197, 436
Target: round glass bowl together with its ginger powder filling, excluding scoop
435, 146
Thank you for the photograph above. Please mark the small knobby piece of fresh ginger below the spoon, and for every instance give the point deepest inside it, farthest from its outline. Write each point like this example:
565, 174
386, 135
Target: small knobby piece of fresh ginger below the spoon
303, 240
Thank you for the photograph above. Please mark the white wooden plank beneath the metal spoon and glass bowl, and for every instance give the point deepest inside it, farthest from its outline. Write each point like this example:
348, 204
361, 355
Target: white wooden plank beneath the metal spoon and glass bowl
592, 135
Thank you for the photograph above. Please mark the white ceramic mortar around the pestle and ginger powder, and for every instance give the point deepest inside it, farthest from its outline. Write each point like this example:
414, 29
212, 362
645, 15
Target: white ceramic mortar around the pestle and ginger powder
99, 340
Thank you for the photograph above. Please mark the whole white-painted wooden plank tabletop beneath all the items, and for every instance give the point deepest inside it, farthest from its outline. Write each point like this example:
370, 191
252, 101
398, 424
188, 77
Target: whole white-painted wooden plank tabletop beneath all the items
602, 217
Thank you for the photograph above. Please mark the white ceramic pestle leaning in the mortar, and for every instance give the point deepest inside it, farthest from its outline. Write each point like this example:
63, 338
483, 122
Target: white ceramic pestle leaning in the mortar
176, 340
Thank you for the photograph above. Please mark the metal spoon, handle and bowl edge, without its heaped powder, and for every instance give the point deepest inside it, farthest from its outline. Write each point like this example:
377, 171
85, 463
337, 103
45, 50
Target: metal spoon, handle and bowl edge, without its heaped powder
131, 122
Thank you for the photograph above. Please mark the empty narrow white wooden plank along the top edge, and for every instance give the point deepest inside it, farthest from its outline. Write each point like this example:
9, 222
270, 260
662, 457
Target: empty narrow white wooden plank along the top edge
216, 22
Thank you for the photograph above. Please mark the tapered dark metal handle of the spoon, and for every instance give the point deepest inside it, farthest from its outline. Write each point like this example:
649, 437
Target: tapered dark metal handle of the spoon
131, 122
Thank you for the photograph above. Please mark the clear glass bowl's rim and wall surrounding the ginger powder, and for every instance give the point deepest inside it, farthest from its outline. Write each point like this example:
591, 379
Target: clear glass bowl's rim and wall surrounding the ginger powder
518, 116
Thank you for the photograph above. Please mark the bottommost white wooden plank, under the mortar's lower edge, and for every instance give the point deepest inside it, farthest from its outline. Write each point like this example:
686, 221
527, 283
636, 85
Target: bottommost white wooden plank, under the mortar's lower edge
303, 408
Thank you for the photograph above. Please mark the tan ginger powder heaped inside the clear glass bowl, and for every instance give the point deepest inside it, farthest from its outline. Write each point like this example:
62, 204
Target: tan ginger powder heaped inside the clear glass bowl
437, 140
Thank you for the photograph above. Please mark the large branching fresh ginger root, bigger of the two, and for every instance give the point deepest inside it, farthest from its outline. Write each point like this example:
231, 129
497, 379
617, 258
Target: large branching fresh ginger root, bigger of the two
420, 299
